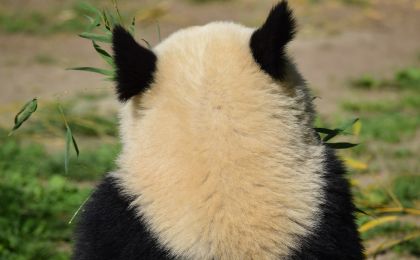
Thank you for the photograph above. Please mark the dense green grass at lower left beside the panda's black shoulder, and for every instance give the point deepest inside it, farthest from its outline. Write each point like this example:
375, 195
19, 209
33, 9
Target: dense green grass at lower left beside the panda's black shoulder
37, 199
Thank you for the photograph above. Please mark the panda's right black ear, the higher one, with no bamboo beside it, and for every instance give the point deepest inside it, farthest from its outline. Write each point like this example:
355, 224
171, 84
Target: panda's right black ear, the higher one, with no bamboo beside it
268, 43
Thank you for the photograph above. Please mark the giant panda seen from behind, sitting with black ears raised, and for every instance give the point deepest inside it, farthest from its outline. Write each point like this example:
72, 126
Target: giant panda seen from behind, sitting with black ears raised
219, 159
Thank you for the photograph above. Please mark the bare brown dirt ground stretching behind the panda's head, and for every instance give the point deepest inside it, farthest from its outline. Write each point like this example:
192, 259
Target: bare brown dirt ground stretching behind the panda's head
336, 42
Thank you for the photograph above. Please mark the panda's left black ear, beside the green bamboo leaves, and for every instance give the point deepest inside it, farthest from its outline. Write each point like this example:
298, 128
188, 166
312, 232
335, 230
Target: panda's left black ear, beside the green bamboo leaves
135, 65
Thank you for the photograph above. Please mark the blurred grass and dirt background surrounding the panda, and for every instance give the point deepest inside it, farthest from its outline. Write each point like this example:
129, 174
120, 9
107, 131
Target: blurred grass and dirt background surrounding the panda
360, 57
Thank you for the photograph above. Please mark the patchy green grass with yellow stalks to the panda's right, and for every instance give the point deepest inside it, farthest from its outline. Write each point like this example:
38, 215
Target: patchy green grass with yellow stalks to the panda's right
389, 129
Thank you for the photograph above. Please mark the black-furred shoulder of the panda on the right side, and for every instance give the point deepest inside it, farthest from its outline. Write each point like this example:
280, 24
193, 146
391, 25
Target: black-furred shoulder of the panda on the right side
336, 237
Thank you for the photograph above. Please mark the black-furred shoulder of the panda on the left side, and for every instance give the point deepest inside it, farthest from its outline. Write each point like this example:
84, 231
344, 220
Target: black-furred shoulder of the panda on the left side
109, 228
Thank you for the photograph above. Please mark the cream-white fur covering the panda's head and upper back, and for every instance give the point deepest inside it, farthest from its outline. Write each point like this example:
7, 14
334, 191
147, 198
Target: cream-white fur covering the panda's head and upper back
220, 157
